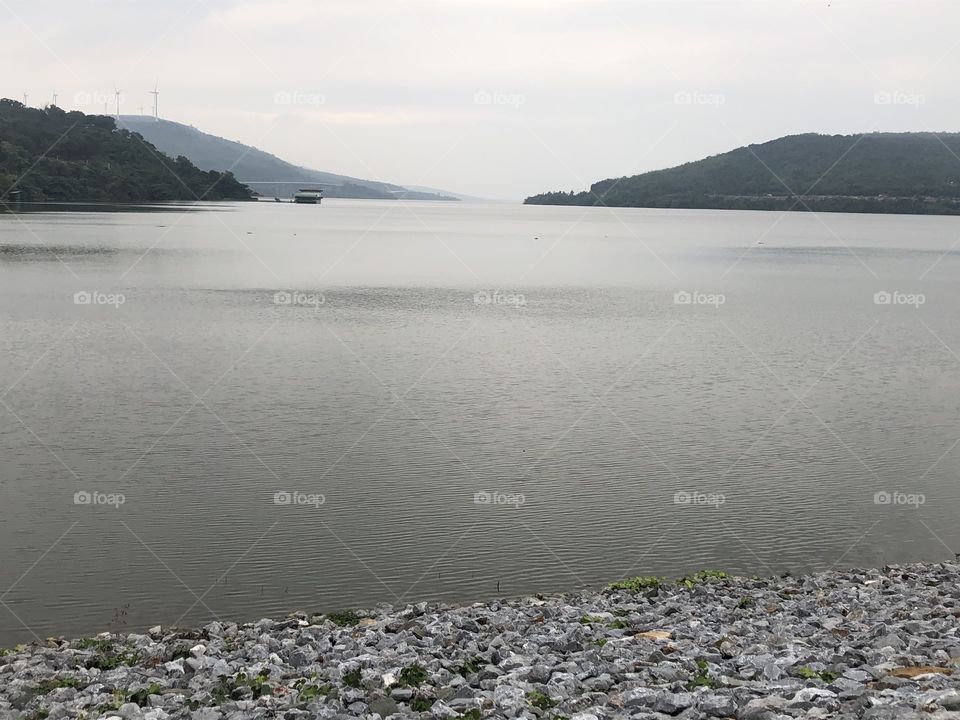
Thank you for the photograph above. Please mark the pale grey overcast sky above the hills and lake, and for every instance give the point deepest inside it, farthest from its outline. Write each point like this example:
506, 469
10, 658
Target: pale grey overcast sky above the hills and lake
497, 98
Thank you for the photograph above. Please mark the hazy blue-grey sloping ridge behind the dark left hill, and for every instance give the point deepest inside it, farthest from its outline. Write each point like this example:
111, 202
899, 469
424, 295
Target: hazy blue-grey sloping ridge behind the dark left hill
262, 171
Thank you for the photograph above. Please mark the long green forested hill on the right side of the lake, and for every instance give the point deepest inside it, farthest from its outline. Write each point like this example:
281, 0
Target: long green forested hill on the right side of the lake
877, 172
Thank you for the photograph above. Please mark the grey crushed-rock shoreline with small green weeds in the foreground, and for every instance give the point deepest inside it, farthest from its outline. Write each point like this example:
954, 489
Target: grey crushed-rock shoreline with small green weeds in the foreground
872, 644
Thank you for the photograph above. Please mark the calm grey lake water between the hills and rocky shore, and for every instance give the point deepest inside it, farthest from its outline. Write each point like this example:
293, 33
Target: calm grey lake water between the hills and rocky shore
324, 448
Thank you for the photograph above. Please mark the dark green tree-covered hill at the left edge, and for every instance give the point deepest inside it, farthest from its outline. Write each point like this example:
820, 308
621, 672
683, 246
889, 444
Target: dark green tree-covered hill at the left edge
52, 155
